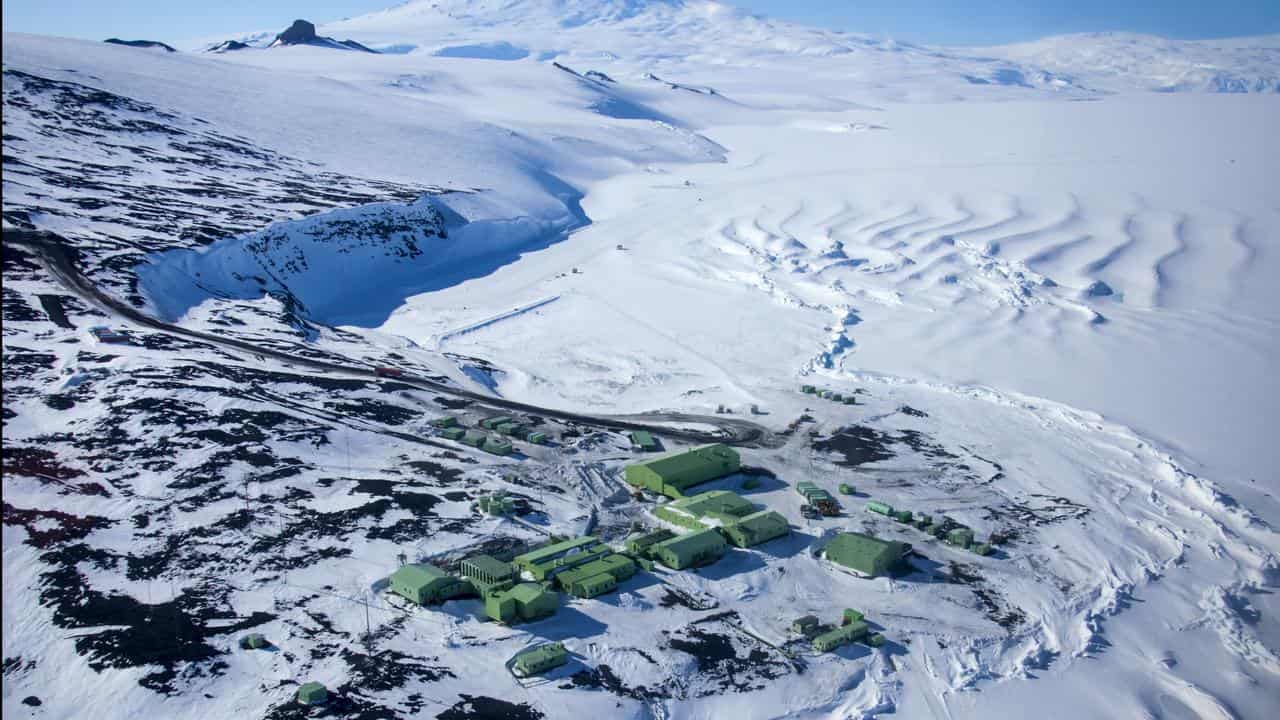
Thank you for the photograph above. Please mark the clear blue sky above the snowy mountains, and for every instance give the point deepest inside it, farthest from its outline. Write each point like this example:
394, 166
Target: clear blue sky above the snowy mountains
950, 22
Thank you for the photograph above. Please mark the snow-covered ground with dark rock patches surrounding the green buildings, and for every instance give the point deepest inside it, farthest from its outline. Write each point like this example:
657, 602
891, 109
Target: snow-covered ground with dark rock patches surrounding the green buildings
1046, 270
